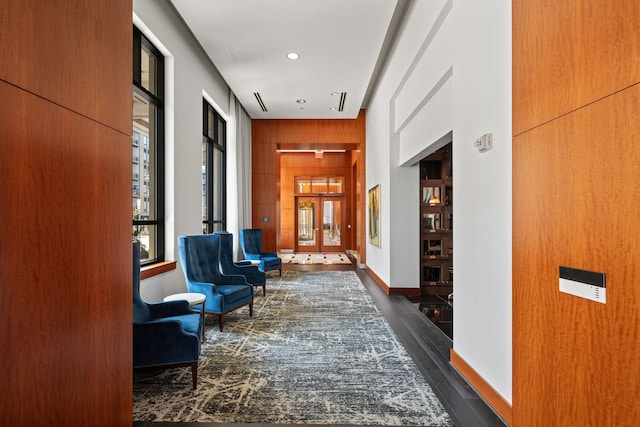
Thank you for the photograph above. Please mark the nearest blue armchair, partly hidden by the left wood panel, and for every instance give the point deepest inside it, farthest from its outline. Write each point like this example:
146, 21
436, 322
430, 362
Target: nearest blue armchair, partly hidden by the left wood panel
165, 334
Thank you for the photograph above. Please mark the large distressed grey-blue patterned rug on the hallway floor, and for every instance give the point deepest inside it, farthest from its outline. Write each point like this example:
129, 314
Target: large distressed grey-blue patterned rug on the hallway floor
316, 351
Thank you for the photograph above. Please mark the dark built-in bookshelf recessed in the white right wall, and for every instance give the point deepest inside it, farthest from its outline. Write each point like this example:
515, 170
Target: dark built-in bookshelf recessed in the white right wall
436, 223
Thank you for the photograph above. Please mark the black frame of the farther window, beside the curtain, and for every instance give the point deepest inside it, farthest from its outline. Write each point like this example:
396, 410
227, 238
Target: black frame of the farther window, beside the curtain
213, 144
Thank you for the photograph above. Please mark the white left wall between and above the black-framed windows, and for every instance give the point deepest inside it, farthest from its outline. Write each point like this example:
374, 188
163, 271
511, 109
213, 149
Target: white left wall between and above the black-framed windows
189, 74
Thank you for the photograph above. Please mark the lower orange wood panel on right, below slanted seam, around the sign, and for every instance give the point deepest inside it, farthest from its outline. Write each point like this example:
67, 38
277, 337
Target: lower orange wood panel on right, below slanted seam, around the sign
575, 203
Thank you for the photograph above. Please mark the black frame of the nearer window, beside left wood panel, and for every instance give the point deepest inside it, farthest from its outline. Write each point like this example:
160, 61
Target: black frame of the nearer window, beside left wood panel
157, 99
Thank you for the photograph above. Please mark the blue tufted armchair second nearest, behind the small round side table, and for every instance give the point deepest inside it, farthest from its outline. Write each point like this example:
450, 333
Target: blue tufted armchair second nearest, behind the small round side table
200, 259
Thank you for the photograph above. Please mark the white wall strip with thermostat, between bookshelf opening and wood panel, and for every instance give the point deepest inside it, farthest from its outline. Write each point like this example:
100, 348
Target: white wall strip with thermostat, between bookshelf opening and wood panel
482, 189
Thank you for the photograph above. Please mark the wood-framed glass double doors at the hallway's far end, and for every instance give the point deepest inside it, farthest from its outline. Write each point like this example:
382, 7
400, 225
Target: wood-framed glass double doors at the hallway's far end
318, 224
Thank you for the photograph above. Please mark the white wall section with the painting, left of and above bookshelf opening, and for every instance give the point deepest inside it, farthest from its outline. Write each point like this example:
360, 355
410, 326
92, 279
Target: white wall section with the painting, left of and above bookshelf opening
409, 111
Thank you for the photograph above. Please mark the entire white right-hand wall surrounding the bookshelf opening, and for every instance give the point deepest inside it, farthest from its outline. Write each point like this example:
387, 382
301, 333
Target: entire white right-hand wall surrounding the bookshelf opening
450, 71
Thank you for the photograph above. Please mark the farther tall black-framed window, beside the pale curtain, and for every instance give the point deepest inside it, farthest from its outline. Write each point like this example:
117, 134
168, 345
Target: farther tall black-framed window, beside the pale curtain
214, 162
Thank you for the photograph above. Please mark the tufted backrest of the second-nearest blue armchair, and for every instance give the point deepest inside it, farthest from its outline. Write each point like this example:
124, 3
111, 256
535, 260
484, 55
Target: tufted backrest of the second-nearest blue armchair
200, 258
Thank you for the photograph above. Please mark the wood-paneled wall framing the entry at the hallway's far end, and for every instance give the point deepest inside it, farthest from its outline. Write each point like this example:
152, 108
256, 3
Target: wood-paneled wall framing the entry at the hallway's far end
267, 136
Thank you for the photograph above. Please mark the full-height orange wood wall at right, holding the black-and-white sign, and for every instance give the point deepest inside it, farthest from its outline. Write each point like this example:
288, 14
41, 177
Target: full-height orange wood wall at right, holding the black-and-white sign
576, 115
